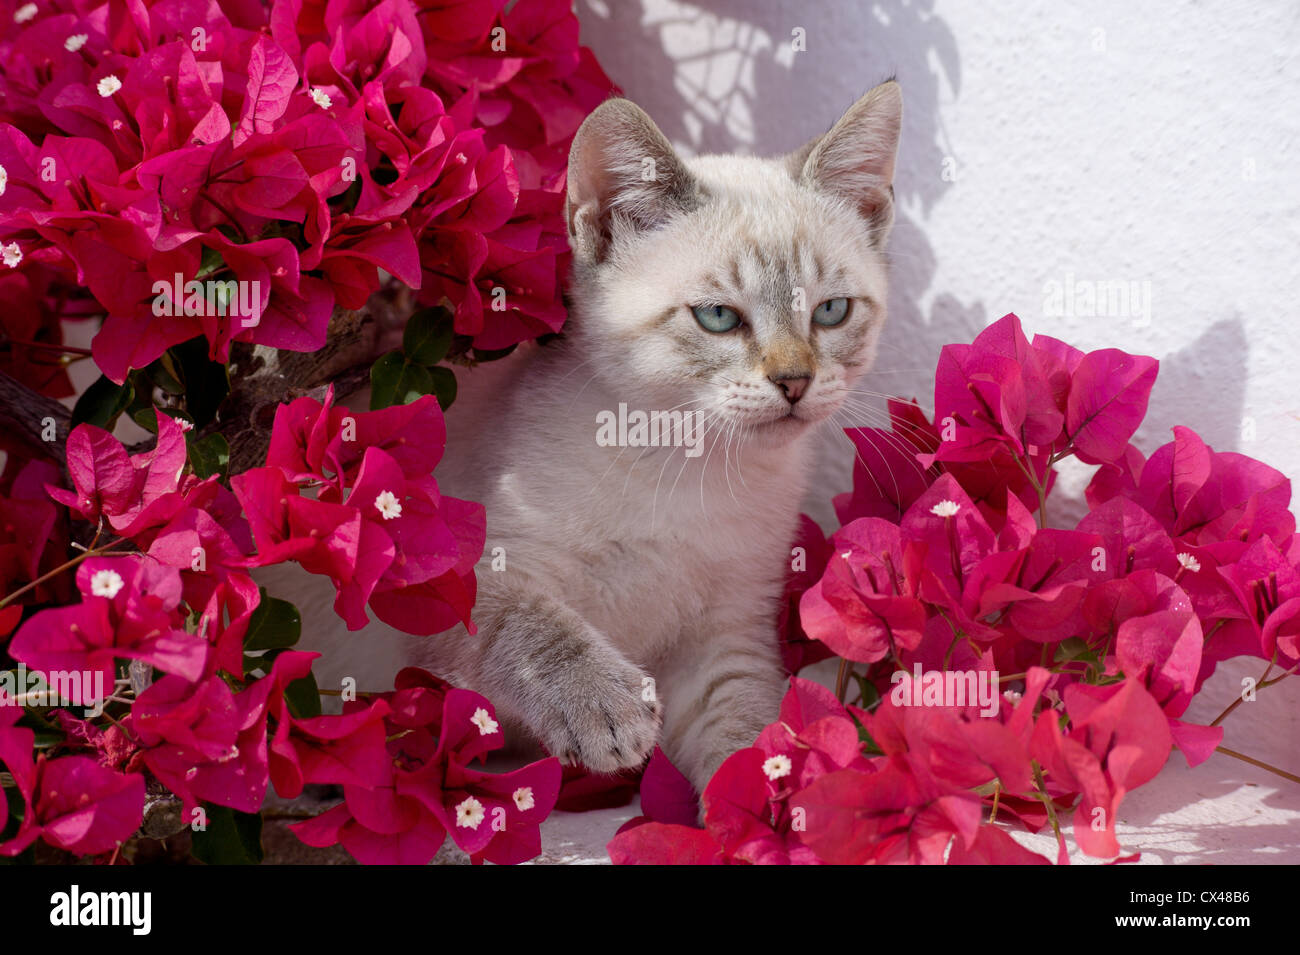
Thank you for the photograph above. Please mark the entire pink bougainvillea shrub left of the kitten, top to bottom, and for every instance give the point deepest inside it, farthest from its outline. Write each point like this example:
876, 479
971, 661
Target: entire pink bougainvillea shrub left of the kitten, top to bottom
200, 180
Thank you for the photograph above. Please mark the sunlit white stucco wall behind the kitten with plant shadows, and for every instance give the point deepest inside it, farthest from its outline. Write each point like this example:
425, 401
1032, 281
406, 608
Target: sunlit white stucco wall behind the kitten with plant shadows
1042, 142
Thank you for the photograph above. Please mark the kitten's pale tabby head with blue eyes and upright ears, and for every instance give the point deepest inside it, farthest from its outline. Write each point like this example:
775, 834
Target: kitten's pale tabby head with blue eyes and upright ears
747, 289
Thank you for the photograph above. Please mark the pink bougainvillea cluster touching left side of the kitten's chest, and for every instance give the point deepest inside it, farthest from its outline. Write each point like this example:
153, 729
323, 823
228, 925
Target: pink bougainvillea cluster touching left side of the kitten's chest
379, 527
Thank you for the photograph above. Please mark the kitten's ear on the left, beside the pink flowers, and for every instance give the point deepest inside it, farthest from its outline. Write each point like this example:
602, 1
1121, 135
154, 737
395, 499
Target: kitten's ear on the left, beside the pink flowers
623, 176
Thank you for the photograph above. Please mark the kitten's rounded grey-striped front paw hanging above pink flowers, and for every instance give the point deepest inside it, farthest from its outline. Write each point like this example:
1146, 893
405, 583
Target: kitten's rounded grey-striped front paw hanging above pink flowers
606, 718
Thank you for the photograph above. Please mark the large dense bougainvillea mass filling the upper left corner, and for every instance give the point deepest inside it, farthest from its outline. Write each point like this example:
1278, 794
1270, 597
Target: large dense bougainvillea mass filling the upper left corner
298, 149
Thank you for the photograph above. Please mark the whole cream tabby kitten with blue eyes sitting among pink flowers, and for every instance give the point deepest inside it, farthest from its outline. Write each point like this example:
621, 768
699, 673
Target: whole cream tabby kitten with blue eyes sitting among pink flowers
639, 597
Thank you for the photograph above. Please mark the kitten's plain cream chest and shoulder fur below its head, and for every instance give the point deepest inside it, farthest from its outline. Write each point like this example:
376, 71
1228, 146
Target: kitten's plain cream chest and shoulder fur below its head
647, 544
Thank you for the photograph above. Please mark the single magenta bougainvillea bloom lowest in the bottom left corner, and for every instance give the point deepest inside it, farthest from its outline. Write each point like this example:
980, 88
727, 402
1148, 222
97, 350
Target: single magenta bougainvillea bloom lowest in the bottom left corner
85, 808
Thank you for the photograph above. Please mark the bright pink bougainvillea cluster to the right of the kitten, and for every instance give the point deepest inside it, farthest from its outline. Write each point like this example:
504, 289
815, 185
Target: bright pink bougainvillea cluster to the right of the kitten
1093, 640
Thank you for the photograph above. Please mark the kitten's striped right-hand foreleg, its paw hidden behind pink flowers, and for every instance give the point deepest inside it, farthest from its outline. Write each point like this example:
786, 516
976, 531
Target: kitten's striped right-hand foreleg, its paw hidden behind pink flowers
720, 692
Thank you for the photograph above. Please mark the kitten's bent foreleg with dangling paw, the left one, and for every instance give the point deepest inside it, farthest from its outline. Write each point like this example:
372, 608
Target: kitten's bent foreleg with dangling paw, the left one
549, 670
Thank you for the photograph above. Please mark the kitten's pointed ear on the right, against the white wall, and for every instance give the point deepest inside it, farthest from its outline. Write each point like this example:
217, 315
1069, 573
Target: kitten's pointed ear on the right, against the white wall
856, 159
